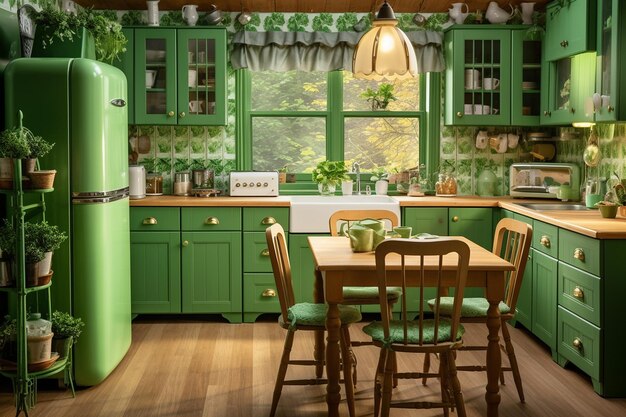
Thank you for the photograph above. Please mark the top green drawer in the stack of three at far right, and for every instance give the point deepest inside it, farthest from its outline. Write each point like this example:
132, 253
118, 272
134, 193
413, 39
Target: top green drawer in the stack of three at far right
580, 251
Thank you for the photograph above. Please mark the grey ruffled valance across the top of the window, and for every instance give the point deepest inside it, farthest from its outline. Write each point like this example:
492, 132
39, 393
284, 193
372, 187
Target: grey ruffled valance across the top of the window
321, 51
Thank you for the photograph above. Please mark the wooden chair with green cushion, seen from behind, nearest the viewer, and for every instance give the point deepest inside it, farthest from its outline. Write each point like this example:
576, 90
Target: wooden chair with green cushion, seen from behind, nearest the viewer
439, 335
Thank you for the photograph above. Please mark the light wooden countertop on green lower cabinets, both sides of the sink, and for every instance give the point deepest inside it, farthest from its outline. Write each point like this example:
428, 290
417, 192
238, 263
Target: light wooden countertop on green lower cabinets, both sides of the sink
588, 223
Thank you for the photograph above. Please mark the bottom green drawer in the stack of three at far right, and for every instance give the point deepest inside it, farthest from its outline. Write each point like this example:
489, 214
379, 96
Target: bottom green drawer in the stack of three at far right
579, 342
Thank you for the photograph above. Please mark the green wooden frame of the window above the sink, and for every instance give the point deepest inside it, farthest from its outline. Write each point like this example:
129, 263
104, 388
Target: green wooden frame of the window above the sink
334, 115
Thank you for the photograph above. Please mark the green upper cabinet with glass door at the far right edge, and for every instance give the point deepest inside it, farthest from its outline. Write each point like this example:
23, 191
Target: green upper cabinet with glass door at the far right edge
610, 92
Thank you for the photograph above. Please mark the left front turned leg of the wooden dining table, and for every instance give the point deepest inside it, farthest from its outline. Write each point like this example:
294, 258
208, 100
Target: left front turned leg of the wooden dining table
333, 324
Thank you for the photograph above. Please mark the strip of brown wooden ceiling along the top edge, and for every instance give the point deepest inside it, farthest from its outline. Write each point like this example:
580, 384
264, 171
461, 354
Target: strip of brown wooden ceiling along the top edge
305, 6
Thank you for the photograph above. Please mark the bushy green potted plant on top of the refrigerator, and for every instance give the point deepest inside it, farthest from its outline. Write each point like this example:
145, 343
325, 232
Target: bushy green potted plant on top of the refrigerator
98, 36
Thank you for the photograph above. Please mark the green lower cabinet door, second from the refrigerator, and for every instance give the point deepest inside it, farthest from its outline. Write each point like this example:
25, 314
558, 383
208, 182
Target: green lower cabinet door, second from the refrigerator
211, 273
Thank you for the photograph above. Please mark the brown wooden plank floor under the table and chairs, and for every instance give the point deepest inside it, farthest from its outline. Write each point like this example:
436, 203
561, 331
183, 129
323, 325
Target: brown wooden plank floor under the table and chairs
198, 368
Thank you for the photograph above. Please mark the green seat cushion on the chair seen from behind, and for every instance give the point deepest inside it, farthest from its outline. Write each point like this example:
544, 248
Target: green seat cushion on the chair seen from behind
396, 332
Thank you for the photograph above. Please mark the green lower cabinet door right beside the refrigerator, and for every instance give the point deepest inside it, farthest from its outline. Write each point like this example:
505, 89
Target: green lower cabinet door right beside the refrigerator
155, 272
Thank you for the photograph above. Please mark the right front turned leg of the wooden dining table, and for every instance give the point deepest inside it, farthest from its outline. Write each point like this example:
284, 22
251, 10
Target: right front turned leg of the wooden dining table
495, 293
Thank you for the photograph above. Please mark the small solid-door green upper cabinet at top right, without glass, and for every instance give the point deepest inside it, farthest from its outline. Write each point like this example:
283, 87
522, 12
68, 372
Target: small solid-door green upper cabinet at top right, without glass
570, 28
